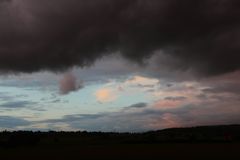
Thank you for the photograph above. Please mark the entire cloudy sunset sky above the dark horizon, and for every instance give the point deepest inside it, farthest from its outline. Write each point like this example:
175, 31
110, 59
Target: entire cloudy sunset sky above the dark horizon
118, 66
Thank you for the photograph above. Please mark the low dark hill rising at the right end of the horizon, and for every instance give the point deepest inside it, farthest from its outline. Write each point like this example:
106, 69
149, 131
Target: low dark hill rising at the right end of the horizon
220, 133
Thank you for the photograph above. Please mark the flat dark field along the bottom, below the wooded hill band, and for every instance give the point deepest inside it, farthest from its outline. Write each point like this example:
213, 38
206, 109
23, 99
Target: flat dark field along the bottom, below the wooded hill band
139, 151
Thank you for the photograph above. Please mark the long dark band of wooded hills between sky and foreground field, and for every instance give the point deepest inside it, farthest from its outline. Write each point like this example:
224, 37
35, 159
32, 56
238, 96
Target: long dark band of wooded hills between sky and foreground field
202, 134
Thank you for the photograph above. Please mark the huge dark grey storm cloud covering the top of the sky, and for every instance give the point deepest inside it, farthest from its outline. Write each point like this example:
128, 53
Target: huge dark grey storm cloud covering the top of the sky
37, 35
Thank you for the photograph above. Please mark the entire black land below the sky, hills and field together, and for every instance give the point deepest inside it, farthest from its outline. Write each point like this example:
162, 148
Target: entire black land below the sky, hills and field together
222, 142
